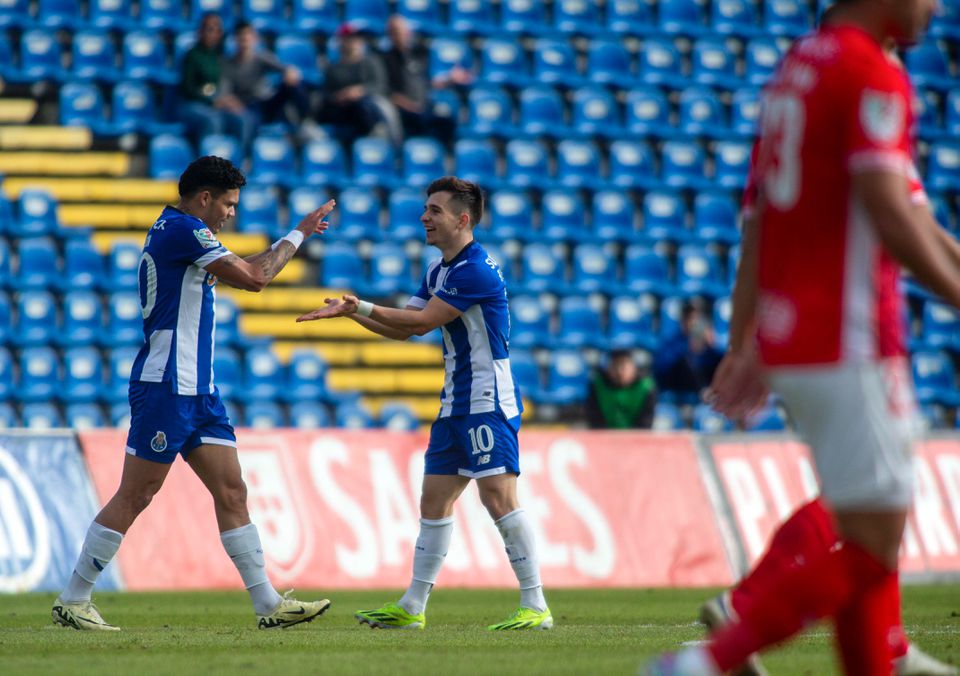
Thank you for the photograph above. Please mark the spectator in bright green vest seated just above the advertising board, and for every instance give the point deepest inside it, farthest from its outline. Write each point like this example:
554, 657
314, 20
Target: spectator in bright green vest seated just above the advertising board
621, 396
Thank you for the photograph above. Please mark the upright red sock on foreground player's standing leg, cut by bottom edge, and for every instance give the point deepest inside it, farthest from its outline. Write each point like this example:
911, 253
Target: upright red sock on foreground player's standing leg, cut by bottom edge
864, 629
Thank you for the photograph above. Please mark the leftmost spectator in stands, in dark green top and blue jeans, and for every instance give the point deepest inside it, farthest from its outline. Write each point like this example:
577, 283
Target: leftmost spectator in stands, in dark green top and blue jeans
204, 107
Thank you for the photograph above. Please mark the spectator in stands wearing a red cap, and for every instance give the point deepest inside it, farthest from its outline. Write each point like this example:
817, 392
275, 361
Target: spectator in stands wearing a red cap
355, 91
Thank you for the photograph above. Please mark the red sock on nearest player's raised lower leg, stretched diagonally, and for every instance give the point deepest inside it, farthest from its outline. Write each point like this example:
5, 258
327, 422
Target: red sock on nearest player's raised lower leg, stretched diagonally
796, 598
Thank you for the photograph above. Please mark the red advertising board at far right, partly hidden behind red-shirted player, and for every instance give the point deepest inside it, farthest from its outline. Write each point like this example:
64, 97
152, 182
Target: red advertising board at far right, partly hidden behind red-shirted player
766, 479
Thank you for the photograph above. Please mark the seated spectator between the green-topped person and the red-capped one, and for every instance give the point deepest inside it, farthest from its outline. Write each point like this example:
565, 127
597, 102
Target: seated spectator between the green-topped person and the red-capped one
265, 99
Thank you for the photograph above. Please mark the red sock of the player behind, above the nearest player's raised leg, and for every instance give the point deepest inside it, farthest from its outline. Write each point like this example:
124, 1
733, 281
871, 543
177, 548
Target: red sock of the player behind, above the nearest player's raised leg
806, 535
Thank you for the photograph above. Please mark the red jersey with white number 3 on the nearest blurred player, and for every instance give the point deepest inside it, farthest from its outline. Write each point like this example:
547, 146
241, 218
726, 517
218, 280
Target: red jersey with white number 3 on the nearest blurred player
828, 292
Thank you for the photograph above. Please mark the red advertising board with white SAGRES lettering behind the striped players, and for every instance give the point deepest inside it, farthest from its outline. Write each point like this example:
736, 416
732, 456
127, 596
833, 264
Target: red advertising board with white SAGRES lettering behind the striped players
338, 509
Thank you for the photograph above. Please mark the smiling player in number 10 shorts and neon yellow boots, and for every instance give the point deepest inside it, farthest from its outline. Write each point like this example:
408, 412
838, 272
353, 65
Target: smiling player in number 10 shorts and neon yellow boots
475, 435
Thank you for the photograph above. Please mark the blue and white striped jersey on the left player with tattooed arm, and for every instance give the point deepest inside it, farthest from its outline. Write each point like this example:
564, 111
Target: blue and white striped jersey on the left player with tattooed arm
177, 303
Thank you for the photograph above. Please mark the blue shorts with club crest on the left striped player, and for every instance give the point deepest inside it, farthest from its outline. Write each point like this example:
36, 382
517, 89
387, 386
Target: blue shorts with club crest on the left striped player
164, 424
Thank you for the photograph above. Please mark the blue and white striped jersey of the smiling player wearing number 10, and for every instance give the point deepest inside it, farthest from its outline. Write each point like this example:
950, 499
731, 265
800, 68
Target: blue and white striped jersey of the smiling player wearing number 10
475, 344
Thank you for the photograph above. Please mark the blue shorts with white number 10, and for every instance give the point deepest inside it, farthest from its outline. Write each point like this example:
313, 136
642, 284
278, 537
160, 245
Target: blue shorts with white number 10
474, 445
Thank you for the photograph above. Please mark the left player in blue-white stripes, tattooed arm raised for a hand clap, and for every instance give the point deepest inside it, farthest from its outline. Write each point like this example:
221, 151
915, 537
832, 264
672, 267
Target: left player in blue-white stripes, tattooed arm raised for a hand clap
175, 407
